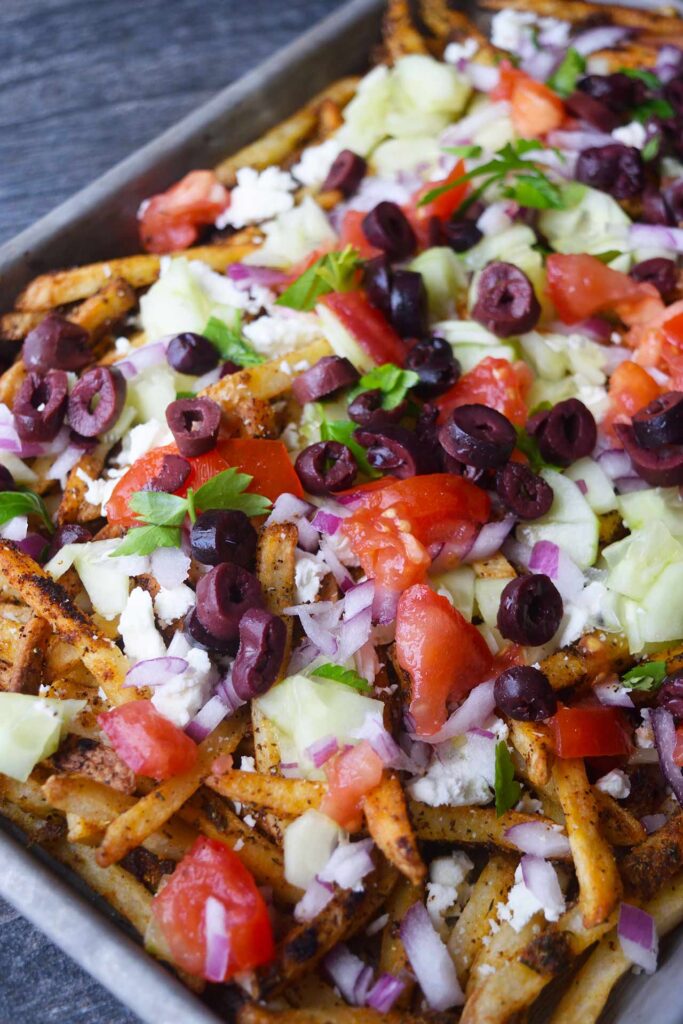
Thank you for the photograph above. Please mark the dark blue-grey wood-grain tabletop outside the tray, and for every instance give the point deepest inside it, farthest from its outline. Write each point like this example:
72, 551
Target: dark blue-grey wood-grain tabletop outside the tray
82, 84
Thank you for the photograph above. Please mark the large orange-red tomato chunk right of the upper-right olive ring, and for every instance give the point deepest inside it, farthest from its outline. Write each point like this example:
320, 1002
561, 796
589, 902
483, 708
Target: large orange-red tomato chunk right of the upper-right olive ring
581, 286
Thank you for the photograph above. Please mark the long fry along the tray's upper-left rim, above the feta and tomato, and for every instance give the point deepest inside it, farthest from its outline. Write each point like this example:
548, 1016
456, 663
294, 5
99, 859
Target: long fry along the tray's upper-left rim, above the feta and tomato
282, 142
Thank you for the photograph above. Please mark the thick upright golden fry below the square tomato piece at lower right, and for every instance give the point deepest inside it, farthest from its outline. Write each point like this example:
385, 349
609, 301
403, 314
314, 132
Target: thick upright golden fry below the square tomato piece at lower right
600, 882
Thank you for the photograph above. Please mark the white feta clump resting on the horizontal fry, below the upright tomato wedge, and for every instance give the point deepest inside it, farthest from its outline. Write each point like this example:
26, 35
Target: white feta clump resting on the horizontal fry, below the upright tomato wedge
461, 774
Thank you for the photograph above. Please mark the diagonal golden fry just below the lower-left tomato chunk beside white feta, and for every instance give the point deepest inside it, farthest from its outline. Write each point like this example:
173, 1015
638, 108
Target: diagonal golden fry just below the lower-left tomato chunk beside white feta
152, 812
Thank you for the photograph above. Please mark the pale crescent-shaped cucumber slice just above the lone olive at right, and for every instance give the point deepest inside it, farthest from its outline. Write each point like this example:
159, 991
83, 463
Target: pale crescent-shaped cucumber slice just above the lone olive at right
571, 523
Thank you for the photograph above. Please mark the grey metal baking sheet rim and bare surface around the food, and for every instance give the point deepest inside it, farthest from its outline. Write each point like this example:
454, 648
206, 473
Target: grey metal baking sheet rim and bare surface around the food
99, 224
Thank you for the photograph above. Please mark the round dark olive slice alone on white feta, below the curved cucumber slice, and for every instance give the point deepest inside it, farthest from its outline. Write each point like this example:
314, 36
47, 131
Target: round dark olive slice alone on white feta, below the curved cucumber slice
531, 611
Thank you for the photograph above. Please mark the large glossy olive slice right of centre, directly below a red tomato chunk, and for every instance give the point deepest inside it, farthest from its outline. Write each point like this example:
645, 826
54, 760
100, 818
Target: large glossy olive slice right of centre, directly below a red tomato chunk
479, 437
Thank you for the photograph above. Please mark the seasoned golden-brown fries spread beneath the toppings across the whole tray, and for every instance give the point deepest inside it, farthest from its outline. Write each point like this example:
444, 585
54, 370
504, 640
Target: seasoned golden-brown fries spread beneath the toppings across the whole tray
124, 835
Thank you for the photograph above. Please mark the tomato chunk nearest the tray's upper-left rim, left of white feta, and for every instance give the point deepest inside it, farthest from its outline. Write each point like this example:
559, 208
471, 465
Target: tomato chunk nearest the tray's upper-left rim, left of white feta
172, 221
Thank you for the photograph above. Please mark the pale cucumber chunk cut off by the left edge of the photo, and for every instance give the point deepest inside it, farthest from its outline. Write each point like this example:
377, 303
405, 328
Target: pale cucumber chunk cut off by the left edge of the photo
31, 729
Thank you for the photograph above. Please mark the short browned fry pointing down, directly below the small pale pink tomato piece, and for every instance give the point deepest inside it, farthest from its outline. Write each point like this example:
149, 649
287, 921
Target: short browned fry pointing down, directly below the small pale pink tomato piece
390, 826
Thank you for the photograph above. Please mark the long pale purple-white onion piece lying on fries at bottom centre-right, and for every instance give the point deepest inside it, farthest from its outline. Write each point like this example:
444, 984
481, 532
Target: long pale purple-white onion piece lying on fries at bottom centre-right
431, 960
